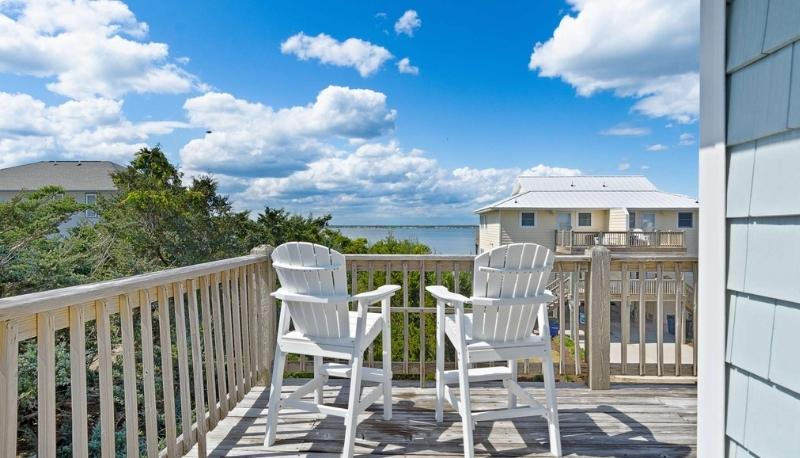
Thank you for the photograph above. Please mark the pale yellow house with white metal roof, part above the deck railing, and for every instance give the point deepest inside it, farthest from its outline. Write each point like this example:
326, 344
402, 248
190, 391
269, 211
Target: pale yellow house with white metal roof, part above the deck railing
570, 214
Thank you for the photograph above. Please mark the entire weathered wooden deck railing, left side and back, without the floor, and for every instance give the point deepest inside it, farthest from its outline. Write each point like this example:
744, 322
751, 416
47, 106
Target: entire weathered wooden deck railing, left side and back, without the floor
218, 322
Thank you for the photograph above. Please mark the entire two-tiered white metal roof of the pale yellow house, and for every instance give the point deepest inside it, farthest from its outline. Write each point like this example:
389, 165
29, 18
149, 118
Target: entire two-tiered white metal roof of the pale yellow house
635, 192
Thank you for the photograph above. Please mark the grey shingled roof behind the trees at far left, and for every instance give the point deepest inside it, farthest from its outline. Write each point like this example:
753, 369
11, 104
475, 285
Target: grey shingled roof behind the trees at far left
70, 175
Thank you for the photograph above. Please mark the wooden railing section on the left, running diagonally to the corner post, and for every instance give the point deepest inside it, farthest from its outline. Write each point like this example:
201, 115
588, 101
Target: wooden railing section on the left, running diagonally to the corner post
225, 304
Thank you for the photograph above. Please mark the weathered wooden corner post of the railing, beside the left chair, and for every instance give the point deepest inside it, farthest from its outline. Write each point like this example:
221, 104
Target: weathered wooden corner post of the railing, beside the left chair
269, 317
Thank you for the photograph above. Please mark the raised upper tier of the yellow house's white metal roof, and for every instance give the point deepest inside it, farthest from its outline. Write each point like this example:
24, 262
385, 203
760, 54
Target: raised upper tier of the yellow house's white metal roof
582, 183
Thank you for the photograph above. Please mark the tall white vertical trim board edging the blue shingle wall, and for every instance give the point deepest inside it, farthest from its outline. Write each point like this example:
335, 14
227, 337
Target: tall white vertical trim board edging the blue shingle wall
712, 231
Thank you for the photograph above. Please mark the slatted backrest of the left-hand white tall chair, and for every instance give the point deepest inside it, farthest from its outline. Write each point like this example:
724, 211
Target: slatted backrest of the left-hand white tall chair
314, 270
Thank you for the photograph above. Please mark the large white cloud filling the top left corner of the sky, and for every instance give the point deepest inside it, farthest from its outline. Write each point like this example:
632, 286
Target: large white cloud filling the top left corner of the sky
87, 49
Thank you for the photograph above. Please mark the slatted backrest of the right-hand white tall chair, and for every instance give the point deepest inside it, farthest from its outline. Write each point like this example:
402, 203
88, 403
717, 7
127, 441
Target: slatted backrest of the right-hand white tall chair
515, 271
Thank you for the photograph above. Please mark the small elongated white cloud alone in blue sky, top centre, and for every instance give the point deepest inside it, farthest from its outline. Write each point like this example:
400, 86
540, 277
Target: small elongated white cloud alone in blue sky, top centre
362, 55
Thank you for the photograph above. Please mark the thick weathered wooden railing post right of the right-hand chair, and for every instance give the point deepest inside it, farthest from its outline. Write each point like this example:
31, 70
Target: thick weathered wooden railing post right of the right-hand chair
598, 324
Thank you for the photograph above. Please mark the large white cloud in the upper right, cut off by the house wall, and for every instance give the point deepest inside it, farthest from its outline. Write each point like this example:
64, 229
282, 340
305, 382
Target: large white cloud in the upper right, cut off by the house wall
643, 49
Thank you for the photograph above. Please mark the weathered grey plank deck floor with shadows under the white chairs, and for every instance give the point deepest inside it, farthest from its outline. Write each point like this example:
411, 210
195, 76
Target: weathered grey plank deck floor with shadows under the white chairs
629, 420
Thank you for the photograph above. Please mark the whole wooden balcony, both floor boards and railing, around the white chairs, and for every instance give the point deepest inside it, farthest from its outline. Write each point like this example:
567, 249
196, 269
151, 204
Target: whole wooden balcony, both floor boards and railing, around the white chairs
220, 322
